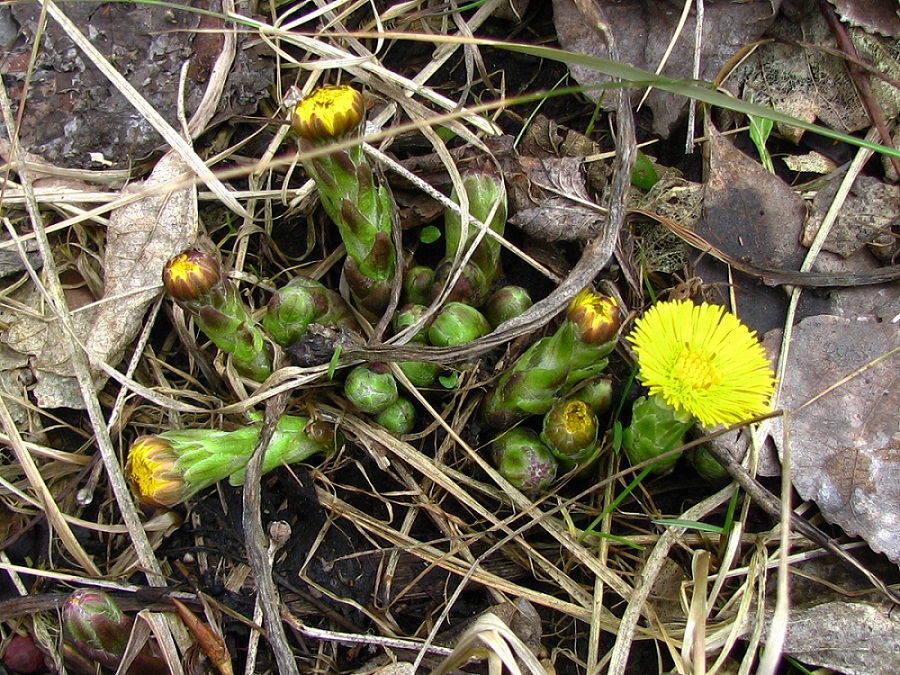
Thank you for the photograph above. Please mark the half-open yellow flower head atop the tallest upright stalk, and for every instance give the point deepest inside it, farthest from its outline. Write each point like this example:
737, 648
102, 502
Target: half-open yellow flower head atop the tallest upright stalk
328, 113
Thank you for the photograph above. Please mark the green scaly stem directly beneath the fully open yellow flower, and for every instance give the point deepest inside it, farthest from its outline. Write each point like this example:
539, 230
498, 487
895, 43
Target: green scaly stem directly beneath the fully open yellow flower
655, 429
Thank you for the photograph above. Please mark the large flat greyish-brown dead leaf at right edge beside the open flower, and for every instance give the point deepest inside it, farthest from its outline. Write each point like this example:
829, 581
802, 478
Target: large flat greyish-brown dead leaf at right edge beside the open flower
845, 445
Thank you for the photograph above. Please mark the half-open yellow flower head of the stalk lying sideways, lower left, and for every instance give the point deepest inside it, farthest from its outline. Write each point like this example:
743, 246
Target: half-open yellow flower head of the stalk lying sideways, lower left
151, 470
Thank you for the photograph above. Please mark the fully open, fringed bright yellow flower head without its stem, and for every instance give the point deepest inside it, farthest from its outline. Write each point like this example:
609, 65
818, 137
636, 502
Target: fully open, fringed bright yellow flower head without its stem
702, 360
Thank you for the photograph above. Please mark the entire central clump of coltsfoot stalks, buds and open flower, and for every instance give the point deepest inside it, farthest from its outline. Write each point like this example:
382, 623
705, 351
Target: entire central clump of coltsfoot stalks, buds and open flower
542, 411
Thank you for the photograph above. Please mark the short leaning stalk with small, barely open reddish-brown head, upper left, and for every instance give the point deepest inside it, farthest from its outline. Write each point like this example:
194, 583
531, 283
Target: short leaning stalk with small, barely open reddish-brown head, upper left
195, 281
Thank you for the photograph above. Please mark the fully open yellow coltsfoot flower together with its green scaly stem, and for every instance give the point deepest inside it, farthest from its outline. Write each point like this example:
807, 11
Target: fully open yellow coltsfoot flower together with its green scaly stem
699, 363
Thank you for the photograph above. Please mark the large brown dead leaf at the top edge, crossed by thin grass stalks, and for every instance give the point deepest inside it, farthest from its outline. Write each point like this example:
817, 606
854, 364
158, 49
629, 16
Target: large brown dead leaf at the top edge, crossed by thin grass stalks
642, 30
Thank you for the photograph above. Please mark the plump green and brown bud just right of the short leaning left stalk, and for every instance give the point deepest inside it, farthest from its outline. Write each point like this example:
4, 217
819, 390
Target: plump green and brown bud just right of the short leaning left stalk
302, 302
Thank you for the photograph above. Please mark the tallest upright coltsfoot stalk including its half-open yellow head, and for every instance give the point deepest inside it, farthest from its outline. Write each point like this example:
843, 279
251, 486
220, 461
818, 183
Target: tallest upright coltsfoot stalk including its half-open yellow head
349, 194
